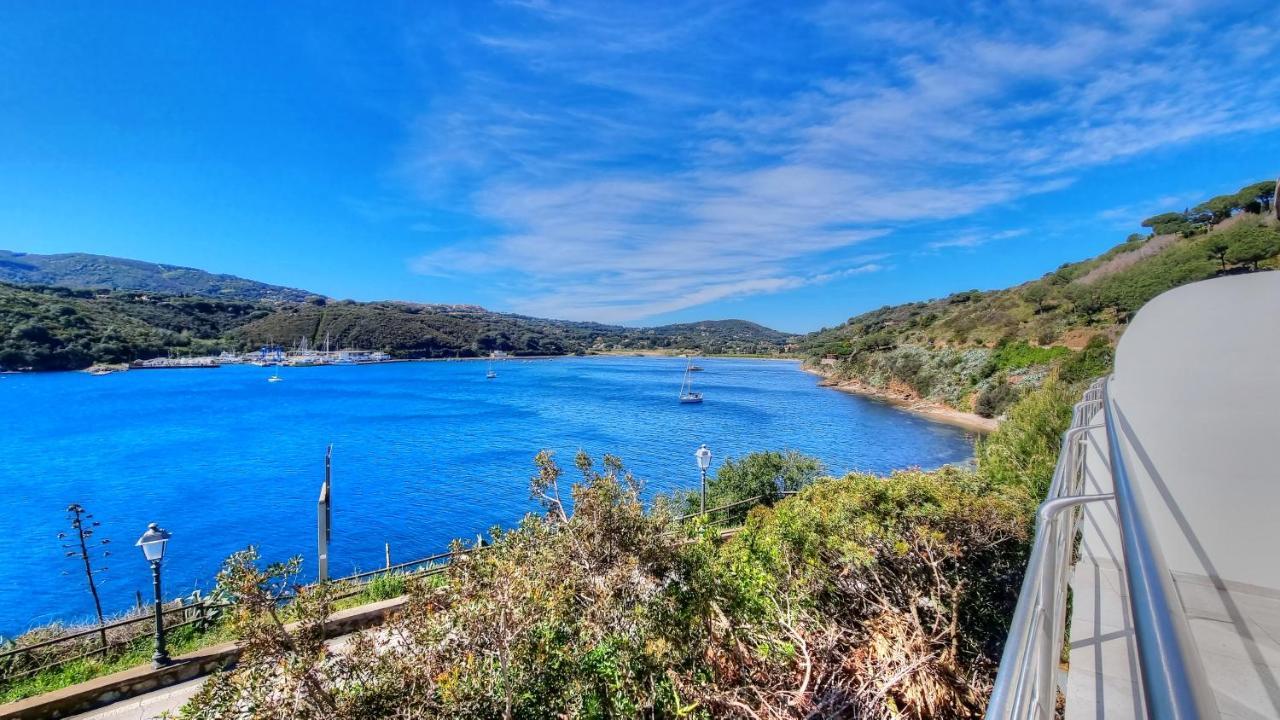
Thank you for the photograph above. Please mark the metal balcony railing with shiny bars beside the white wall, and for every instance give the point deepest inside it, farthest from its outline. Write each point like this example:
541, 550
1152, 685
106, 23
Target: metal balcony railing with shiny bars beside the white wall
1027, 683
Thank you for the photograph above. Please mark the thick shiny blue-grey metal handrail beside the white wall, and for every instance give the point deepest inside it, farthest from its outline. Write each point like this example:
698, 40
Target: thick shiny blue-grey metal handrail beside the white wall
1173, 676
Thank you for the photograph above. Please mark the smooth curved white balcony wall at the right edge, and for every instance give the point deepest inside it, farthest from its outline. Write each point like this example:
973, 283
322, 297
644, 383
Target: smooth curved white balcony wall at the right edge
1197, 389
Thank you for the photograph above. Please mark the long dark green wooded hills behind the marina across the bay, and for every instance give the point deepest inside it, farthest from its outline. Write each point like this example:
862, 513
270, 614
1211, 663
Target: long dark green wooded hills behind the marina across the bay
60, 329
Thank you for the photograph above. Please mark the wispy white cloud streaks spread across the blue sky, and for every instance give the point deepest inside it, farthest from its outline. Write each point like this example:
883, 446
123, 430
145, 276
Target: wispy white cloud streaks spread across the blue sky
655, 158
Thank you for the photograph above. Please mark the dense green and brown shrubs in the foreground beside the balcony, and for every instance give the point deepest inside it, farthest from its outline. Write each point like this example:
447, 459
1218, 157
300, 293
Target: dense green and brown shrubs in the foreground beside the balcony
857, 598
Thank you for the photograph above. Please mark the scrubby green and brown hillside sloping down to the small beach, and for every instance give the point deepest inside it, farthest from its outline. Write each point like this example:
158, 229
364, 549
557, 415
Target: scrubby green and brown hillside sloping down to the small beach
977, 350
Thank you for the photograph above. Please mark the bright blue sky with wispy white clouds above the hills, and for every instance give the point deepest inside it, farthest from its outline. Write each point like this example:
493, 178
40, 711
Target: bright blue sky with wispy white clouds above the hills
790, 163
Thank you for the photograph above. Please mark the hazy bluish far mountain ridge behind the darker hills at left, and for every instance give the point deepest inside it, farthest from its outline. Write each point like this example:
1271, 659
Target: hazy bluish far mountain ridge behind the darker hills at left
84, 271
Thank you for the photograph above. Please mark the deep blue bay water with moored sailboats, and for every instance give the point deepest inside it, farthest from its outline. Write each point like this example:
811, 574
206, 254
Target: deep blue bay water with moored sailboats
424, 453
